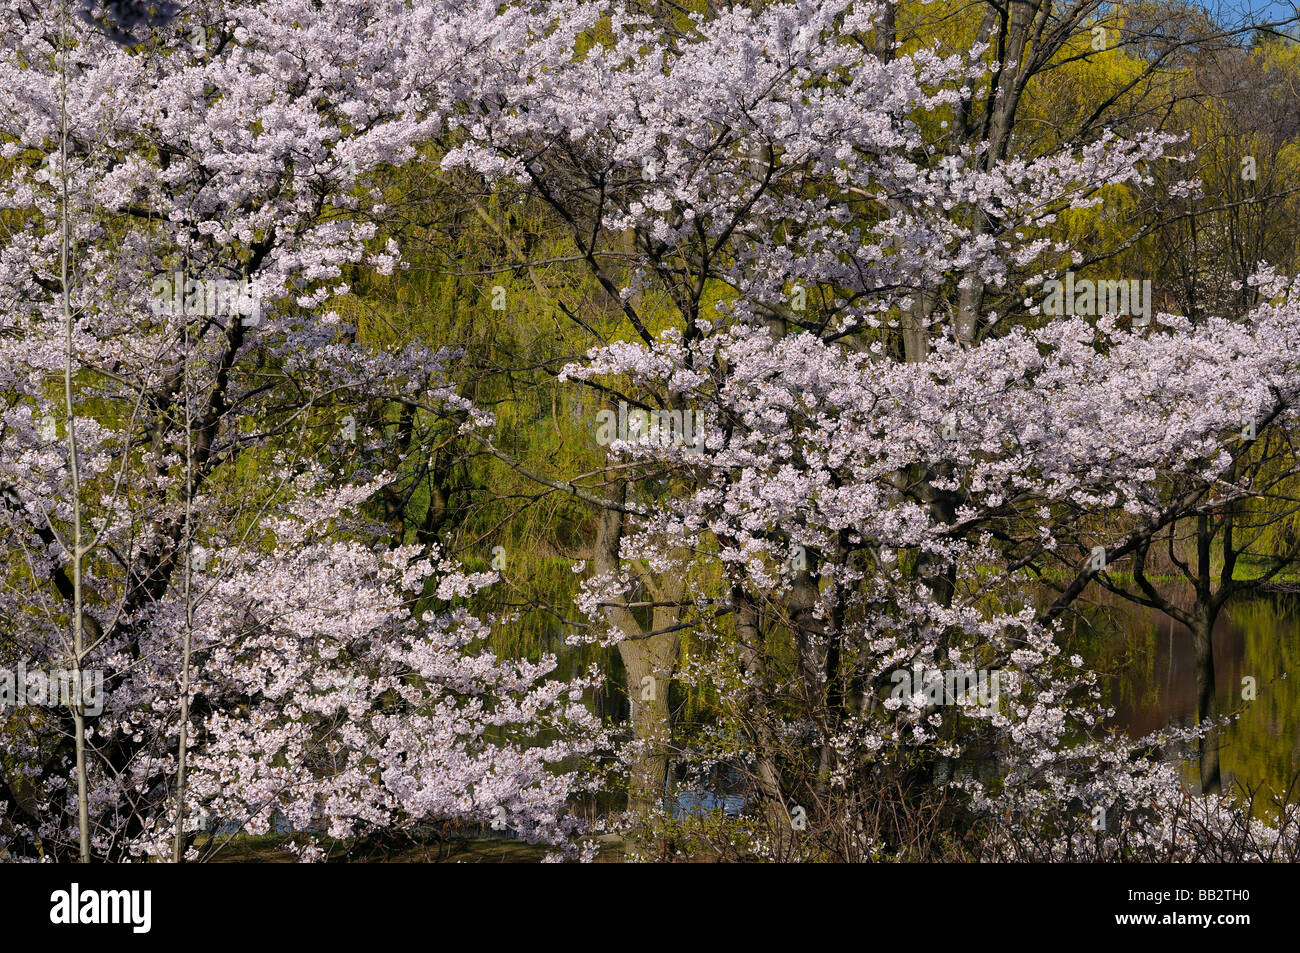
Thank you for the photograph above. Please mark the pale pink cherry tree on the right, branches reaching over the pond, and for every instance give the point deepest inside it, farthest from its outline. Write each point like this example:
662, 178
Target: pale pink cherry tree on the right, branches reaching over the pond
855, 514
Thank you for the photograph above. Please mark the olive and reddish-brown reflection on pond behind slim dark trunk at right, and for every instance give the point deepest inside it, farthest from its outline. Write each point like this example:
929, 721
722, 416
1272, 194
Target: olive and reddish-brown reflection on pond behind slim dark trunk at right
1152, 679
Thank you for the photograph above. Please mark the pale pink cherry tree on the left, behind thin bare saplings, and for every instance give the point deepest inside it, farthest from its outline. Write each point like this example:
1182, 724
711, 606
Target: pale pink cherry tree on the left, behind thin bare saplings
187, 196
